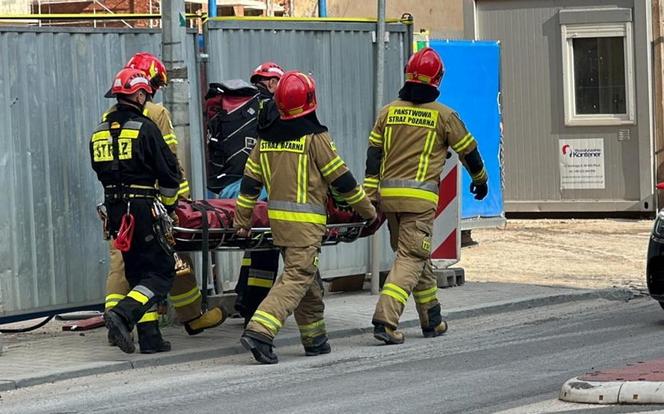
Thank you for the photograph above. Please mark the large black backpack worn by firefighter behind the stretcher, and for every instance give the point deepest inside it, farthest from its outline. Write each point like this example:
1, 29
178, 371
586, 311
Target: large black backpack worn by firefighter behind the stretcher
232, 117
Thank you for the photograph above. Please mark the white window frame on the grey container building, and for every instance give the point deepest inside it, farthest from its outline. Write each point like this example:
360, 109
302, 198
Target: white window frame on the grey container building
576, 31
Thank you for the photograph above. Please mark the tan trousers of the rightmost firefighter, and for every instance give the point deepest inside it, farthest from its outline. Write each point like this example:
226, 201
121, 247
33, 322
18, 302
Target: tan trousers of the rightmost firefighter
410, 238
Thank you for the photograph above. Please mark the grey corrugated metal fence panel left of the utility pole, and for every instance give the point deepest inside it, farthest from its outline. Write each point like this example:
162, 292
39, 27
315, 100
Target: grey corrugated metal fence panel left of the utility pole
52, 83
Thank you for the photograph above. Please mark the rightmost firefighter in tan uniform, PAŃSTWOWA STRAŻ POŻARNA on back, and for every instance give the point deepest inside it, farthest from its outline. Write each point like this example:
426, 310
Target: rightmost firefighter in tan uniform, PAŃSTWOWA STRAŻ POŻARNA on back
407, 150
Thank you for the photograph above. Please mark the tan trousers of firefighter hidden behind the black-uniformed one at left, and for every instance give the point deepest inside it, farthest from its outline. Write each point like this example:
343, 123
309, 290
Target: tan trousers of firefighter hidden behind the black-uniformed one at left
184, 295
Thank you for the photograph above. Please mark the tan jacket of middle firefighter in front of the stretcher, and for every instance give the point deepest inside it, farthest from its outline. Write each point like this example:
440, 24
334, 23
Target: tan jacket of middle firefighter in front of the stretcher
297, 174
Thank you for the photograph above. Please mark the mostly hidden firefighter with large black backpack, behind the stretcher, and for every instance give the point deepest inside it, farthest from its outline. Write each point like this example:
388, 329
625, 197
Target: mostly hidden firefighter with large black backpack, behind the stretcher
236, 112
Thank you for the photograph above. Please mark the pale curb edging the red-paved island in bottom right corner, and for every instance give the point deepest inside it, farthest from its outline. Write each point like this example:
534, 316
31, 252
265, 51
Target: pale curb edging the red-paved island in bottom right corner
612, 392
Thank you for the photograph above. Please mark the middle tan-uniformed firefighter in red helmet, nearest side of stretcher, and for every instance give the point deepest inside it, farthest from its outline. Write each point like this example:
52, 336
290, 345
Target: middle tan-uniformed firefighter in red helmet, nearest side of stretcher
296, 161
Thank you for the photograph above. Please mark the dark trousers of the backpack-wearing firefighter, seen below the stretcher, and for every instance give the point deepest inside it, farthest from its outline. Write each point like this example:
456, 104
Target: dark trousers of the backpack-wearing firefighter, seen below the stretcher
257, 274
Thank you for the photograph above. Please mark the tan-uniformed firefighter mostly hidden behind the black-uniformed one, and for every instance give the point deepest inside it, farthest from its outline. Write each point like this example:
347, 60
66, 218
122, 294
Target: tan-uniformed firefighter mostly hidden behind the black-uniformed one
185, 294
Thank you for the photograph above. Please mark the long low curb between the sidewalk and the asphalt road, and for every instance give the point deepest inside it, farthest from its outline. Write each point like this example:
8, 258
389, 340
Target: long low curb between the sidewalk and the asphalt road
177, 357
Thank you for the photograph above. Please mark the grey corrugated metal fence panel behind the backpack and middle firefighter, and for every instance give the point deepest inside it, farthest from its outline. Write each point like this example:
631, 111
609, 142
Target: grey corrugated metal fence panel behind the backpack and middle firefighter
341, 57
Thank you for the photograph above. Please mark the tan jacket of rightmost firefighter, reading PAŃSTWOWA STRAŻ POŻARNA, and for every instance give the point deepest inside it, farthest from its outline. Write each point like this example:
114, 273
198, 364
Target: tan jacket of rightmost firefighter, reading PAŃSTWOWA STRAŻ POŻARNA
407, 150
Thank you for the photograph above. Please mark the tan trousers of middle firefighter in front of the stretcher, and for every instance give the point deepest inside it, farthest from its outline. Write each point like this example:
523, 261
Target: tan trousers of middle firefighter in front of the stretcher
297, 290
